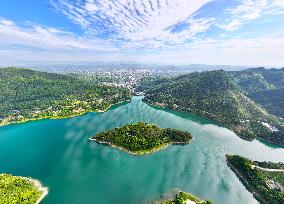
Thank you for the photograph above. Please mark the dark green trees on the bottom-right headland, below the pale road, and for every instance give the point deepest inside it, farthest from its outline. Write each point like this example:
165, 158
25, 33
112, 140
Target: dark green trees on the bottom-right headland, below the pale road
257, 180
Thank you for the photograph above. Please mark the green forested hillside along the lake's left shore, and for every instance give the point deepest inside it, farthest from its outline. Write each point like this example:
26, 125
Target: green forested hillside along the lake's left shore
32, 95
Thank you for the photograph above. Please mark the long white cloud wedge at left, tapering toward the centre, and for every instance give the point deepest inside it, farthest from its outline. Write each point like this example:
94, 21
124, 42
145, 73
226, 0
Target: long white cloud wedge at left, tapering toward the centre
37, 36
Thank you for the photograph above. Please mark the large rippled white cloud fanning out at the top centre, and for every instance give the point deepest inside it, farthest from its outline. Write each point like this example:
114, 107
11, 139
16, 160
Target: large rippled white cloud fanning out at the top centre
134, 20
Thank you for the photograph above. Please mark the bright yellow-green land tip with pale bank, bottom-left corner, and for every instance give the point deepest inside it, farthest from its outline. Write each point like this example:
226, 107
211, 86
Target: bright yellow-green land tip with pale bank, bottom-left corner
16, 189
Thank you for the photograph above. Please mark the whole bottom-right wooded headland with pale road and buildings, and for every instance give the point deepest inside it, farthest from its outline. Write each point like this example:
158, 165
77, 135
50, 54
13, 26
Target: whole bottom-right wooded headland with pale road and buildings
265, 180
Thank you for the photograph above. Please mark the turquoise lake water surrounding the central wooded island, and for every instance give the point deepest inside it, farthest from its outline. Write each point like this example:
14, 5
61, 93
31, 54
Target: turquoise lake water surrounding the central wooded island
76, 170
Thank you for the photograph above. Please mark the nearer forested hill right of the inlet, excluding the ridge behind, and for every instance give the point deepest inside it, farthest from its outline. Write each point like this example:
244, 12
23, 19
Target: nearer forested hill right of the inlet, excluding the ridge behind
217, 96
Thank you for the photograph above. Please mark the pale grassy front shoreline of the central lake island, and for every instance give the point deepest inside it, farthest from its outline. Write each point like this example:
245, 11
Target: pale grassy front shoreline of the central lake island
139, 153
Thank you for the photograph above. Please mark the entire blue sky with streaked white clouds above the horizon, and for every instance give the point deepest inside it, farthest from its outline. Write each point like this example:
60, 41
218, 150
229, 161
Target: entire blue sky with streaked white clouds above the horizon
223, 32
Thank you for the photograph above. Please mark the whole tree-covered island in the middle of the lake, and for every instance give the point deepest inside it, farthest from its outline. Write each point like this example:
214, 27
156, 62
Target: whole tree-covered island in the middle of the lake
141, 138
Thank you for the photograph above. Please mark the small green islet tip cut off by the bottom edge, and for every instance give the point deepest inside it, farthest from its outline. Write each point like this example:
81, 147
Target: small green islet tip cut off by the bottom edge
183, 198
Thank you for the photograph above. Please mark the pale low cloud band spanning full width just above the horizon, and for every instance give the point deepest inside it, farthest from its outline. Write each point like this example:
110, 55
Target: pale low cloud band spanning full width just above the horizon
264, 51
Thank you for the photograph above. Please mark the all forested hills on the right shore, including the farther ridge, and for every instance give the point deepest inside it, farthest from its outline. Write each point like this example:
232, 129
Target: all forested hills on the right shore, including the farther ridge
233, 99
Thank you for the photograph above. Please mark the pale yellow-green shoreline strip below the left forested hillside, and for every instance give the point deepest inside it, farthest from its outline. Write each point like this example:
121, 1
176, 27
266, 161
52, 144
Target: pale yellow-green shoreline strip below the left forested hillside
62, 117
